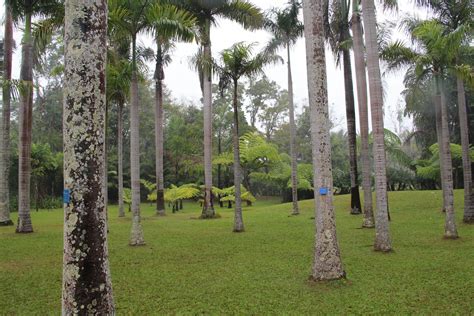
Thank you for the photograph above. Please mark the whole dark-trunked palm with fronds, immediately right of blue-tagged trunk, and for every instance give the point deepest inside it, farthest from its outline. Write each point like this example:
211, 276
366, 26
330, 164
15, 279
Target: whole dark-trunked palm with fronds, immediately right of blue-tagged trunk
339, 38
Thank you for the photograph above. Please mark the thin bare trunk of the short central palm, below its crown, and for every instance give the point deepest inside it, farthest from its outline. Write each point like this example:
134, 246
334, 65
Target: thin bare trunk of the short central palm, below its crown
238, 220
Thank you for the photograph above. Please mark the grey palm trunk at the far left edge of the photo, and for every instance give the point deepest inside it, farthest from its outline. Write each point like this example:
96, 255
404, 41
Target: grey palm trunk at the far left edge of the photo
5, 219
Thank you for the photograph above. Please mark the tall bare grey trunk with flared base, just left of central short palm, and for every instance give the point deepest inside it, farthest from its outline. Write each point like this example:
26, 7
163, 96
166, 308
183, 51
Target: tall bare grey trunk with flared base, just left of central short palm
208, 208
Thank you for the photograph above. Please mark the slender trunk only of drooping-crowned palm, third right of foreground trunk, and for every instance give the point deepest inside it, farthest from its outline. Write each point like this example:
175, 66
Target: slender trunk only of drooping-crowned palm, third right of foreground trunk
159, 139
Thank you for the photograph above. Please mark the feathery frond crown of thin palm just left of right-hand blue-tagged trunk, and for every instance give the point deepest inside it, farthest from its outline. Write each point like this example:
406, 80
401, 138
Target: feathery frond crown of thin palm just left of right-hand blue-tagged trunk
284, 25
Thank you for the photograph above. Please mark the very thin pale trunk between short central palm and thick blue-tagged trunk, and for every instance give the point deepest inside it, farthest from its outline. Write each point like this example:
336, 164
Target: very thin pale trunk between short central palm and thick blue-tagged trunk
293, 153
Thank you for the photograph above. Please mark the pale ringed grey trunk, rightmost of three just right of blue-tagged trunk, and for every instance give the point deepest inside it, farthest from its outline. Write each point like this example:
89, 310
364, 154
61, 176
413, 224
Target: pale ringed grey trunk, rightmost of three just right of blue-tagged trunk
382, 233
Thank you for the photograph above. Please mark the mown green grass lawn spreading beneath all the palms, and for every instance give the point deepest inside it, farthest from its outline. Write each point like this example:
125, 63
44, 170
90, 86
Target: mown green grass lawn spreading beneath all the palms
194, 266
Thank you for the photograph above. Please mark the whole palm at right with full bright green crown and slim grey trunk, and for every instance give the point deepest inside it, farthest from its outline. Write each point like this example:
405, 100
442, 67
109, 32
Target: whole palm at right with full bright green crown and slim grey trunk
435, 48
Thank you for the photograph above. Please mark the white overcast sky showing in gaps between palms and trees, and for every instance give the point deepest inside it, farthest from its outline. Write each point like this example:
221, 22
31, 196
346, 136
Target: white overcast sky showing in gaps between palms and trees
183, 82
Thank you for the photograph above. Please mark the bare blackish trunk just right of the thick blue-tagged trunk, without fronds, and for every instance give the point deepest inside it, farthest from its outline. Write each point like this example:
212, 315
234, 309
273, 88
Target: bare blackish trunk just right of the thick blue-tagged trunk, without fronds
351, 130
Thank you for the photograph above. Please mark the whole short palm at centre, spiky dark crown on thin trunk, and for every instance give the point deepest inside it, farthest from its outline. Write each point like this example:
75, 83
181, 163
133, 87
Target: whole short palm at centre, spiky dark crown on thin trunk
237, 62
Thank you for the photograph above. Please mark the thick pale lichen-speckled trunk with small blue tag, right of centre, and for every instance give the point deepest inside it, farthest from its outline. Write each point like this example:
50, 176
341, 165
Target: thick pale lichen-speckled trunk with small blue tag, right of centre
327, 263
